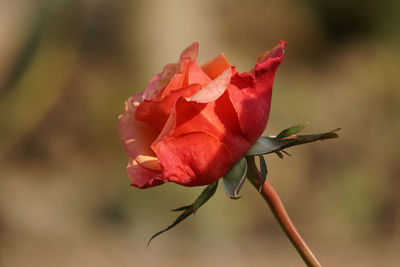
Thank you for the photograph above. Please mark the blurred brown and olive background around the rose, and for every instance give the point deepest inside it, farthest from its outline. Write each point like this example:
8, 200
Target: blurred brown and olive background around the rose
66, 68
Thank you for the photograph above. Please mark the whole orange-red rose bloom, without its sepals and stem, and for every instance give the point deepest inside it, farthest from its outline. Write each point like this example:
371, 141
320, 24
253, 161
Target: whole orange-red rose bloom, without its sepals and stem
193, 123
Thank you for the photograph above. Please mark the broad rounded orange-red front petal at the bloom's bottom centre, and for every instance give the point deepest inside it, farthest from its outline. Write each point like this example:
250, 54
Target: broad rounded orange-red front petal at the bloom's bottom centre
194, 159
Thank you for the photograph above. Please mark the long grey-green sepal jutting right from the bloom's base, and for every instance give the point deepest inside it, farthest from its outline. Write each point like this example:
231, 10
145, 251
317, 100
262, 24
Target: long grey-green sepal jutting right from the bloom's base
265, 144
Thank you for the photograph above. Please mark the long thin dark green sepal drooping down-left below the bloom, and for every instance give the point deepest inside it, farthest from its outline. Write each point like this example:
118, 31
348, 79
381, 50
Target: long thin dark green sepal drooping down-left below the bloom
207, 193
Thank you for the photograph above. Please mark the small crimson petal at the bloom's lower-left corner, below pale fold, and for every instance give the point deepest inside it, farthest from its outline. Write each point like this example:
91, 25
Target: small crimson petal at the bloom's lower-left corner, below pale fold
142, 177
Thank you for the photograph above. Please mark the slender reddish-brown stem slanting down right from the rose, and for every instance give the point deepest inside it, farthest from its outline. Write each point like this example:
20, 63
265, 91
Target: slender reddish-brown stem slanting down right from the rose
279, 211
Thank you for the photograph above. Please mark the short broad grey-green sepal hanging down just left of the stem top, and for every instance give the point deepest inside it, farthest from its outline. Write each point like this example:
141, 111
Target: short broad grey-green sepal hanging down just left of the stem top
234, 179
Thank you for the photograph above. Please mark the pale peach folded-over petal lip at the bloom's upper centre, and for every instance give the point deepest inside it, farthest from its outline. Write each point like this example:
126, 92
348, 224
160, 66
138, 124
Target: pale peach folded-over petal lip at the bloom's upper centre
214, 89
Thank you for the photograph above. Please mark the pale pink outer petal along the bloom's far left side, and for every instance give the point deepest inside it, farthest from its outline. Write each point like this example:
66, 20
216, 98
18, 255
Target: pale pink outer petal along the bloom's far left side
136, 136
